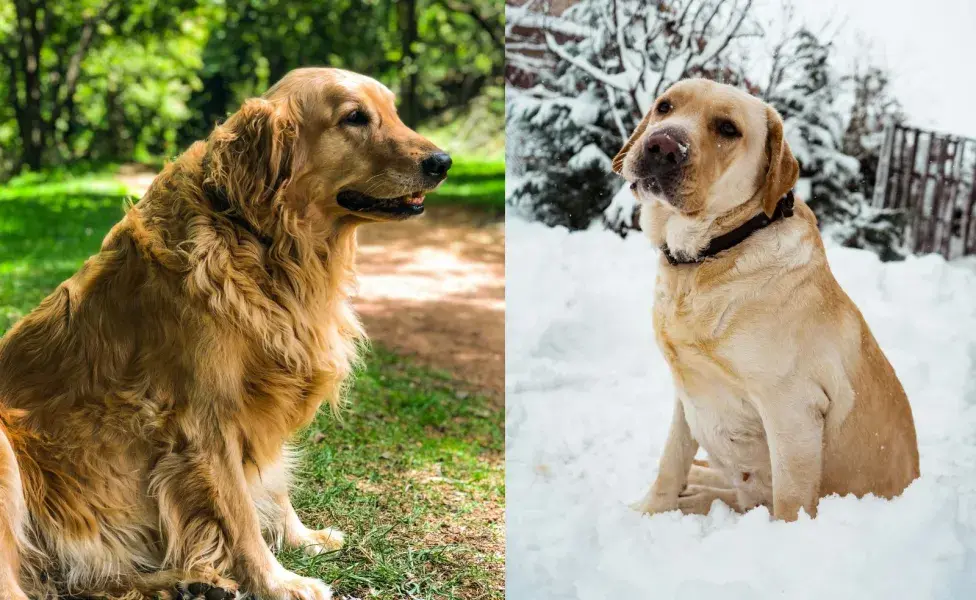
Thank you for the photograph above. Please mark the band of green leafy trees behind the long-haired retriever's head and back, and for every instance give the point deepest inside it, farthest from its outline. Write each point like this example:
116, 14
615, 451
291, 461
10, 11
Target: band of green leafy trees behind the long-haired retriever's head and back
139, 79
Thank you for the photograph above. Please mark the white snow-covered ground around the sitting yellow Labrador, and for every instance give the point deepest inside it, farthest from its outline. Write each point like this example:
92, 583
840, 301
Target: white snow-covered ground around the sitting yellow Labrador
589, 400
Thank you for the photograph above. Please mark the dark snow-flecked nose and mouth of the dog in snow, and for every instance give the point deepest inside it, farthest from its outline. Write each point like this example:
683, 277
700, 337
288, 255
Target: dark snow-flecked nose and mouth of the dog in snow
660, 166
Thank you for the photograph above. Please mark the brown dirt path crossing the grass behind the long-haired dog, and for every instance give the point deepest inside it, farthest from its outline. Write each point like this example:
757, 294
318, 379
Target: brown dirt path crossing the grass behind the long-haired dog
431, 288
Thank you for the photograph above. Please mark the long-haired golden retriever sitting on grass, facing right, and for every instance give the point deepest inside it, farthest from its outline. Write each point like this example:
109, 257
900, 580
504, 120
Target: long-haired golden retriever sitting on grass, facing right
147, 403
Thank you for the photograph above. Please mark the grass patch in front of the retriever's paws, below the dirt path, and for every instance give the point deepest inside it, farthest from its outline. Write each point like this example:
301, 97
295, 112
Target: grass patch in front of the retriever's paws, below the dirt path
413, 474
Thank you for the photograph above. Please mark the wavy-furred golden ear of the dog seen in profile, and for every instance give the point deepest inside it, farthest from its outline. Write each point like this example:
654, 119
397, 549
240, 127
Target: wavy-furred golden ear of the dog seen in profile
251, 156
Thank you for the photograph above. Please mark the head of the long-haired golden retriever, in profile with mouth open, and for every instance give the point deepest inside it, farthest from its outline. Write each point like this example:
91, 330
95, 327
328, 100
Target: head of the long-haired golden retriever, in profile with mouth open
327, 143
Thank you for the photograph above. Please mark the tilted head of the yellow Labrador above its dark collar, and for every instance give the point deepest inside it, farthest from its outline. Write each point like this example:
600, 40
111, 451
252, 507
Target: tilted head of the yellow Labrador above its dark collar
705, 148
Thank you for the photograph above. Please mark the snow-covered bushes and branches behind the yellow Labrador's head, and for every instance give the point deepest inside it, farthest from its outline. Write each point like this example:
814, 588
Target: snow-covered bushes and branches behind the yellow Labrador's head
591, 72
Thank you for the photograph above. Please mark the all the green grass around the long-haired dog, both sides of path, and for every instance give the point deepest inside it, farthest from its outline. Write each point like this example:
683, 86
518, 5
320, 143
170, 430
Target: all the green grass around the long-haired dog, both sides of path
412, 473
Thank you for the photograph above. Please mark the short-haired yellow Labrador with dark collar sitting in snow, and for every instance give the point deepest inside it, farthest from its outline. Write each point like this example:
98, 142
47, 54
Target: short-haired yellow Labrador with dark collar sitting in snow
777, 375
